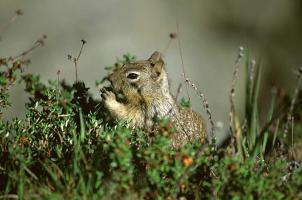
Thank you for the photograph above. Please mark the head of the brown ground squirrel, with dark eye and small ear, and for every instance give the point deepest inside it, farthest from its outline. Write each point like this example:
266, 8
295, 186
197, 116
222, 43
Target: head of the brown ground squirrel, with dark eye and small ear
141, 79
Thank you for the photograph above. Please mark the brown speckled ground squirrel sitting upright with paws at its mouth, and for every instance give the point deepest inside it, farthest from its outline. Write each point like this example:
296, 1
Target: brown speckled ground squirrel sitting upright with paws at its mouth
145, 87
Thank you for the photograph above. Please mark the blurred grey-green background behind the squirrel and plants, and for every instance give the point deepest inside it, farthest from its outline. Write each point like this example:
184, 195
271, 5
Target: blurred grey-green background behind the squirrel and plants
210, 31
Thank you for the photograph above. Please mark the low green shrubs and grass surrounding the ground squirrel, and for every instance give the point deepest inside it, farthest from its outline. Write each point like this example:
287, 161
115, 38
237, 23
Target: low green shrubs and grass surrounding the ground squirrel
68, 148
